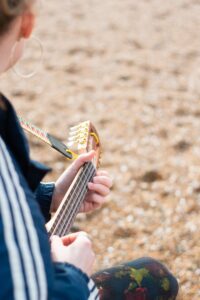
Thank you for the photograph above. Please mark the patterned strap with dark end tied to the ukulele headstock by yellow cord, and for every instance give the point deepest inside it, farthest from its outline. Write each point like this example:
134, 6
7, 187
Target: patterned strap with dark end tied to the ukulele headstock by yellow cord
47, 138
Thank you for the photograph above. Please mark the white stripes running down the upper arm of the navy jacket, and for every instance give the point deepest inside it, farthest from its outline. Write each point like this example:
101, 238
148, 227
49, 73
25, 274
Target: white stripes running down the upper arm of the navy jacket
22, 222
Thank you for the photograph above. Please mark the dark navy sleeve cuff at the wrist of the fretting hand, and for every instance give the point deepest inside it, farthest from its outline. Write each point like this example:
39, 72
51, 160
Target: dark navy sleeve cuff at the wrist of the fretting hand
43, 196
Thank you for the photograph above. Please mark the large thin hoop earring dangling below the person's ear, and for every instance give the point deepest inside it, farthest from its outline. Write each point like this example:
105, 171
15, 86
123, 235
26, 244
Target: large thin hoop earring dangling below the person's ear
17, 70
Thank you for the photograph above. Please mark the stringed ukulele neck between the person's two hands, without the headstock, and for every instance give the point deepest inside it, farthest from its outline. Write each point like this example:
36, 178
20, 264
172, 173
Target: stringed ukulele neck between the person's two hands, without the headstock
70, 205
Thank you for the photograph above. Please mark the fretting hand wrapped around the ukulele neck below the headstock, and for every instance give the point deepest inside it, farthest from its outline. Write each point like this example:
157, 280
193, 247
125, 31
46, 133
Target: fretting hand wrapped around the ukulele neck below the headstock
97, 191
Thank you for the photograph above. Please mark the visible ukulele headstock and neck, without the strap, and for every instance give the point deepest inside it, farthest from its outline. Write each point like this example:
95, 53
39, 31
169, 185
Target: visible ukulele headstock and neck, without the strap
83, 138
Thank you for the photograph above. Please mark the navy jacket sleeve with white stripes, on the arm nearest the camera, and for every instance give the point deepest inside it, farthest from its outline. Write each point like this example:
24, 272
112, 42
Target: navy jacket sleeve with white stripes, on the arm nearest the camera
24, 248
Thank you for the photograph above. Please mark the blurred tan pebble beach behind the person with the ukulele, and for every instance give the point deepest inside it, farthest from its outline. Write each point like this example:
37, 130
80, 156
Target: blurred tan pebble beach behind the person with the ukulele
132, 68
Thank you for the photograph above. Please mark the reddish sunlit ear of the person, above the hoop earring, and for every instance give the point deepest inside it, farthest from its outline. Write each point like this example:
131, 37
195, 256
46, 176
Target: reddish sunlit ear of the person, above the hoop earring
27, 24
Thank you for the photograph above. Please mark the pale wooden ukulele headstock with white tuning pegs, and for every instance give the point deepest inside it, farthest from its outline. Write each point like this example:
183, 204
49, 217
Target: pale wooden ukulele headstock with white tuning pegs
84, 138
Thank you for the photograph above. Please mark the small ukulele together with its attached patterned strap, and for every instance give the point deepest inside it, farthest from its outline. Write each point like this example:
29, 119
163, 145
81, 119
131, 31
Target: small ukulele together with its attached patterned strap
82, 138
